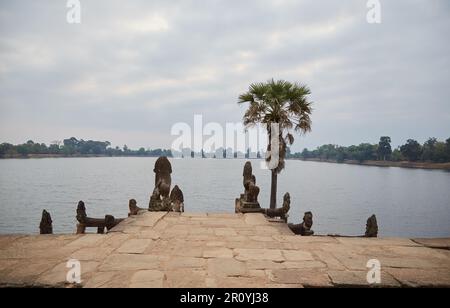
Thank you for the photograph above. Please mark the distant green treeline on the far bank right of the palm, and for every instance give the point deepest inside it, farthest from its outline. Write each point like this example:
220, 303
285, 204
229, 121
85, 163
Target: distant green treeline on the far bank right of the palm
431, 151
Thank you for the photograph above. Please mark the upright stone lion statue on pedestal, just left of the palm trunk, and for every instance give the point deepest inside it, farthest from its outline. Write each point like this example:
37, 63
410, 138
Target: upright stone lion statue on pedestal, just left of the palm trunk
248, 201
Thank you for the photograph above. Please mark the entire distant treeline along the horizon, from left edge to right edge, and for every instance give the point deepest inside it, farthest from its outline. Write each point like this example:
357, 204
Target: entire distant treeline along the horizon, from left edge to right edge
431, 151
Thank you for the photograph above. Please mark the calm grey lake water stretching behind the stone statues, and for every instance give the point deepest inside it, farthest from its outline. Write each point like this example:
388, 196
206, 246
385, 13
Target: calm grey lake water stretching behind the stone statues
409, 203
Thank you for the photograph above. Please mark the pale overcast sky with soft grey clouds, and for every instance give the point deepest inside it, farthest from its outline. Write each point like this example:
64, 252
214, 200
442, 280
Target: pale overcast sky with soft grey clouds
132, 69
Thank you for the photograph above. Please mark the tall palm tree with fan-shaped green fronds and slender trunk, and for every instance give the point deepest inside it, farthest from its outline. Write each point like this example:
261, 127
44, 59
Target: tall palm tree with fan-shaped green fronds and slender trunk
279, 102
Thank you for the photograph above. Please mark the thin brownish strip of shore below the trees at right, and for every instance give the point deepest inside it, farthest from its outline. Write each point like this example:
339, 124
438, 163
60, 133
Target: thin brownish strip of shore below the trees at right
377, 163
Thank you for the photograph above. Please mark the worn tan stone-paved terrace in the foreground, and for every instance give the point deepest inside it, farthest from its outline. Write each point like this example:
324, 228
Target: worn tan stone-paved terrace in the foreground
154, 250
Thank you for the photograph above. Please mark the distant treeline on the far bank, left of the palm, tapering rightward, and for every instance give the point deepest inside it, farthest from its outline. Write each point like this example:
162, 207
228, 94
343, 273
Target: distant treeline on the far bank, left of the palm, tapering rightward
75, 147
